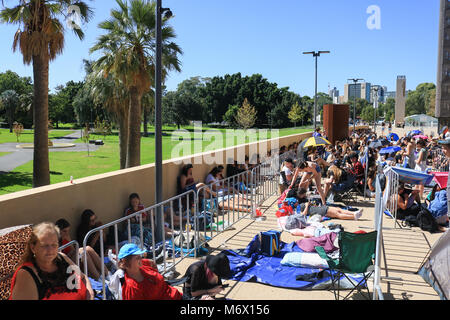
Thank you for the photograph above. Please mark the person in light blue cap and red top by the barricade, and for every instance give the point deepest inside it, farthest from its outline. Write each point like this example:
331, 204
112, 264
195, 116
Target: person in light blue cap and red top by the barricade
142, 280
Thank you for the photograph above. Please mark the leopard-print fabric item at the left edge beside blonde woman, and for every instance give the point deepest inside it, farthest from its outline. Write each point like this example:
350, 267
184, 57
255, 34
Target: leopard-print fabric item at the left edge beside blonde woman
13, 242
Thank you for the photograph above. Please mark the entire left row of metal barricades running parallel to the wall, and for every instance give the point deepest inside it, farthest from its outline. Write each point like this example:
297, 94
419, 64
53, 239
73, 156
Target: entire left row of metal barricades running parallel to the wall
246, 191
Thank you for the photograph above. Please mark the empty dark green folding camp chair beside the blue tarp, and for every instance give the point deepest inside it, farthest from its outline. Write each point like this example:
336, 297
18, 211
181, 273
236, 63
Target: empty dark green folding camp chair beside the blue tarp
356, 252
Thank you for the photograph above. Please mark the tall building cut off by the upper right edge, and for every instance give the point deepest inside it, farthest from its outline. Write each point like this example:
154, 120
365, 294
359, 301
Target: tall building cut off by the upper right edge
443, 74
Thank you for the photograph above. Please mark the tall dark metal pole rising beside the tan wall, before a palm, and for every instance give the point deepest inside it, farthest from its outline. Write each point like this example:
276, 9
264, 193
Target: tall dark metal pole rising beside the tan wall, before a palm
158, 120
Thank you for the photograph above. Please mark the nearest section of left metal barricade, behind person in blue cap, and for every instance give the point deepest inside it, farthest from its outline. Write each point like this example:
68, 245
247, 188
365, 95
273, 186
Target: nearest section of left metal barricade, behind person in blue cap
177, 208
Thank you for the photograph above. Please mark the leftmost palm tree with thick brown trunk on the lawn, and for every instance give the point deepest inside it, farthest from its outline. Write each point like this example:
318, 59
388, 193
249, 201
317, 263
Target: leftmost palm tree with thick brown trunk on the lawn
40, 39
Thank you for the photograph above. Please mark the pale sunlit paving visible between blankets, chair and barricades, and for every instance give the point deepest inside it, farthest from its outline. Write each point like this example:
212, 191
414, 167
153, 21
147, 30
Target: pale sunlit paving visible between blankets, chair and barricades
403, 252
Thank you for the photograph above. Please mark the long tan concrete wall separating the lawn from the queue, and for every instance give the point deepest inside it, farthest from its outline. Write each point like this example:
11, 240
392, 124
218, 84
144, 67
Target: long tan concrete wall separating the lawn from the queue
107, 194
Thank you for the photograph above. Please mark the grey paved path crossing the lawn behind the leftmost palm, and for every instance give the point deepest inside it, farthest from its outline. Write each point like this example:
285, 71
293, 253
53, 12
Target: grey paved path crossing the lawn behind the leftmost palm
19, 157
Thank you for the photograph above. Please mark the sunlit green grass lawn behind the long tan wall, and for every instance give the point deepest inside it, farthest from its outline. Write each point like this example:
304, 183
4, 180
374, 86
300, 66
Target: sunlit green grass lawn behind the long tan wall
63, 165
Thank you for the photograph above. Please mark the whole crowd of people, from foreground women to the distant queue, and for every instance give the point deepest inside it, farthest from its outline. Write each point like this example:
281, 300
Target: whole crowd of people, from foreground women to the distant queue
309, 183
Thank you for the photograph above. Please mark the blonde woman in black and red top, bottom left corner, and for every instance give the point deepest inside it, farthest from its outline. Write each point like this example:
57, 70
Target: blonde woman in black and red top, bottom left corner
45, 274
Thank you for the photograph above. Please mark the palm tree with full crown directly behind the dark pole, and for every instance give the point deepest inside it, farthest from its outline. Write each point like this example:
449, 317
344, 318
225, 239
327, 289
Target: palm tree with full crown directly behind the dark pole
128, 49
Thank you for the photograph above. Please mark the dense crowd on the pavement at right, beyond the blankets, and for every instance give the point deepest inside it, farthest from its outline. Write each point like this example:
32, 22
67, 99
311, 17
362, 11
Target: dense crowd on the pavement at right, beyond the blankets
351, 165
